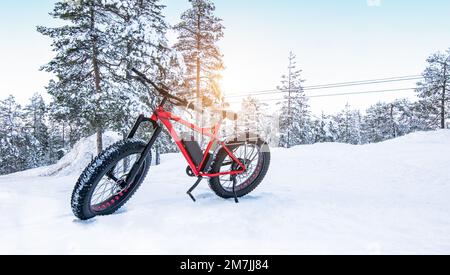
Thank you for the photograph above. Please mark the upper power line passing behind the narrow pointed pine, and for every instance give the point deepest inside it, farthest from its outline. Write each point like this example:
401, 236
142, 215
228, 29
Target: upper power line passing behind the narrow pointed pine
329, 86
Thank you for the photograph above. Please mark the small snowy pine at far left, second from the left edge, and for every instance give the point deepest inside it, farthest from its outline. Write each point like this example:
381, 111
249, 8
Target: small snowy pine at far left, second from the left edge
35, 119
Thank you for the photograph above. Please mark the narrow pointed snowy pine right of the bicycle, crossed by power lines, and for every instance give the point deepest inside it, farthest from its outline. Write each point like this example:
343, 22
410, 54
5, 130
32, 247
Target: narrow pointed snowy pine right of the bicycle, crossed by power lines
295, 120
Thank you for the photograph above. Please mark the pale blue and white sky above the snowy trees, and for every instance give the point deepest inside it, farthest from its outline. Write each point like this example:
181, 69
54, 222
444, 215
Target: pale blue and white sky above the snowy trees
335, 41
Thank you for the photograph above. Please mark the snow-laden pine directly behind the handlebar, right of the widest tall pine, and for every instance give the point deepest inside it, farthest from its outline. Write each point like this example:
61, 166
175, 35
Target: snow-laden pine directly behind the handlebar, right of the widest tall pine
138, 30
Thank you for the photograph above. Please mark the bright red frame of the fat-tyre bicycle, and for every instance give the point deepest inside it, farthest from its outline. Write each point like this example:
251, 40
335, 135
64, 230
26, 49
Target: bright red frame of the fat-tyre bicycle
166, 119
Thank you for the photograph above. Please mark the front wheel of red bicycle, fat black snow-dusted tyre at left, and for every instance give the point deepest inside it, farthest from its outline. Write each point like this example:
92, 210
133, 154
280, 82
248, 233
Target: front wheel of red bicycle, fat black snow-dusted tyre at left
101, 189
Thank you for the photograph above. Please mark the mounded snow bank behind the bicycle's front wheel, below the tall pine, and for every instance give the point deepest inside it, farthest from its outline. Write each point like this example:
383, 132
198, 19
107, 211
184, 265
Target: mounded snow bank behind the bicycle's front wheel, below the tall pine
74, 162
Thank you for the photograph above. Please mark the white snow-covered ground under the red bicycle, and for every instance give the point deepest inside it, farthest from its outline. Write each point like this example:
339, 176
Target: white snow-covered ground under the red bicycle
388, 198
